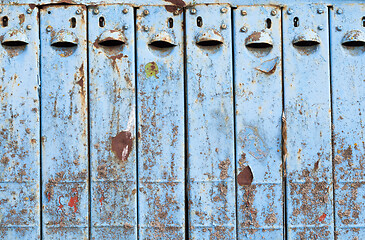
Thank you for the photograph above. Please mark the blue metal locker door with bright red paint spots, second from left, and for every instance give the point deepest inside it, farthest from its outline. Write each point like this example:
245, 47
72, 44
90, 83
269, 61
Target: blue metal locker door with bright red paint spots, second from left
64, 122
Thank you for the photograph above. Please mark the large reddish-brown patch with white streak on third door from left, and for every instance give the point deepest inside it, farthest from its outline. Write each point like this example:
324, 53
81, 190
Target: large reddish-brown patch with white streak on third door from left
122, 145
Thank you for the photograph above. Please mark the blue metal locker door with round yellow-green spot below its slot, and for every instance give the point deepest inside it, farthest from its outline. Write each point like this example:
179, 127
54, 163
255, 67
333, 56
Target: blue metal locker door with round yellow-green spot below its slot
160, 84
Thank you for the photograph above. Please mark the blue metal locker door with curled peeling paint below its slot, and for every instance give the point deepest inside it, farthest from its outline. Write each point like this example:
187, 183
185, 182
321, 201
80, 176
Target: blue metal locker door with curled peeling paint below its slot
258, 98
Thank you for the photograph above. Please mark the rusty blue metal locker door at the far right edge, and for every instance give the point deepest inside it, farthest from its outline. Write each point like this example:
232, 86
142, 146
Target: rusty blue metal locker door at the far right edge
348, 102
